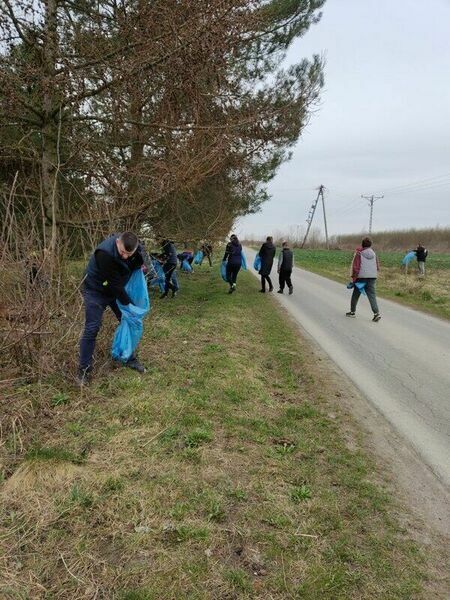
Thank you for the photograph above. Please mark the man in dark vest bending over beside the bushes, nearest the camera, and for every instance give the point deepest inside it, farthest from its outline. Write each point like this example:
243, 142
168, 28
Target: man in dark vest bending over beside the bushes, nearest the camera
108, 271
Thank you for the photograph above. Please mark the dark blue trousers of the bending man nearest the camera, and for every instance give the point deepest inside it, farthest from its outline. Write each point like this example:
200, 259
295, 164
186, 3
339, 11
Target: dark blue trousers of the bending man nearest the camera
95, 304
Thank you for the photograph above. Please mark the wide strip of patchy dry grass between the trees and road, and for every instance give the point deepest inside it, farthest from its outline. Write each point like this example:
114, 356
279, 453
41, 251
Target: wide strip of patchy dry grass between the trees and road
227, 471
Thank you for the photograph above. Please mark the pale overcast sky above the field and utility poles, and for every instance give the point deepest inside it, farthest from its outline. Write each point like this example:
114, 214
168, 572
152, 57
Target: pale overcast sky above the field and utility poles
383, 125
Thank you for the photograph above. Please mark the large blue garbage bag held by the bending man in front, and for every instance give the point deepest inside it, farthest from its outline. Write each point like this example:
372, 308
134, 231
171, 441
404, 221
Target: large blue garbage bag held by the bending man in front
130, 329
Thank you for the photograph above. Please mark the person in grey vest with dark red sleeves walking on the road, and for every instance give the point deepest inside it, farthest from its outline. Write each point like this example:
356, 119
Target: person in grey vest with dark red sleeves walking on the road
364, 271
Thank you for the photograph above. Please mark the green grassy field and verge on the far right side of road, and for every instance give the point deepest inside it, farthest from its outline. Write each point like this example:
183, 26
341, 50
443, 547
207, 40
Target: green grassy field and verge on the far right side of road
430, 293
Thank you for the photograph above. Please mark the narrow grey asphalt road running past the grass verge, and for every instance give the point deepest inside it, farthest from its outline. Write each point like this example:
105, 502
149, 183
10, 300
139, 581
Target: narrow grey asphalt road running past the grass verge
401, 364
